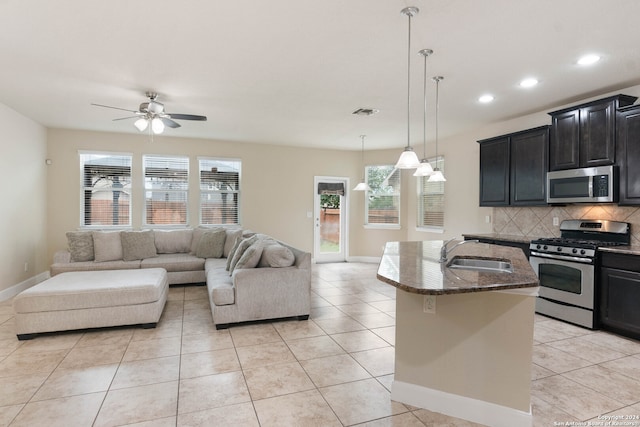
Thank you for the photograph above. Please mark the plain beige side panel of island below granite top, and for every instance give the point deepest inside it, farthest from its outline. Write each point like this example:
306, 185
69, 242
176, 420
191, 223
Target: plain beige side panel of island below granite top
477, 345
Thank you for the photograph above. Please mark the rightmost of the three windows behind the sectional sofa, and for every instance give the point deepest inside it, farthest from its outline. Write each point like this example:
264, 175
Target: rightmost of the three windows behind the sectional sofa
219, 191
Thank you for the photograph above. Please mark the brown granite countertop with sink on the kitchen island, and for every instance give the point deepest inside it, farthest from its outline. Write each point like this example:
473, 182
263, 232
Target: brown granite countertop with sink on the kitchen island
414, 267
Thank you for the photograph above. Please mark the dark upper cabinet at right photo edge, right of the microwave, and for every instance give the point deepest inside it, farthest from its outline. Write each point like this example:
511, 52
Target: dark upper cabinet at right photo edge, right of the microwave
628, 141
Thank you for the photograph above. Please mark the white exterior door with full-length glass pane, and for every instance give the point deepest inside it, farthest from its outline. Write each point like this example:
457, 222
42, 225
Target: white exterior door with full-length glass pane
330, 224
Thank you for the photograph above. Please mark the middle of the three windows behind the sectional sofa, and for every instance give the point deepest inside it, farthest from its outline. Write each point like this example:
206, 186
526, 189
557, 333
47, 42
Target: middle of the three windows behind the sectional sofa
166, 183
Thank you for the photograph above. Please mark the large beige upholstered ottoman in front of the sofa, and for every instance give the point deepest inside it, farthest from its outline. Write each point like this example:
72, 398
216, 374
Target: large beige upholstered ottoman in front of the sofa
91, 299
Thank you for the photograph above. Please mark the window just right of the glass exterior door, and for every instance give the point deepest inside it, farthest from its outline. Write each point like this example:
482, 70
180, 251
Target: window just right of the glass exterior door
383, 200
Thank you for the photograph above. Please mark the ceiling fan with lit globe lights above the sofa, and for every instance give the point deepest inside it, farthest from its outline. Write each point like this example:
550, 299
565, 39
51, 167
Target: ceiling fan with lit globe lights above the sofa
152, 113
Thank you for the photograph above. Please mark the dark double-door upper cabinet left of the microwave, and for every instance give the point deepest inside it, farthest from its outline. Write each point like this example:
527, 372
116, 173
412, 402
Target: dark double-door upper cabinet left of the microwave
513, 168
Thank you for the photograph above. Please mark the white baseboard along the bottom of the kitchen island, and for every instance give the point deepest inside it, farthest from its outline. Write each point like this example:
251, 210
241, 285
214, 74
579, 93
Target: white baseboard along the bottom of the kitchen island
453, 405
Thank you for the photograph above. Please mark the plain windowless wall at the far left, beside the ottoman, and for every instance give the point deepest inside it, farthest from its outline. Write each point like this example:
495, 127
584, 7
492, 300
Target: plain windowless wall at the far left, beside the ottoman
24, 211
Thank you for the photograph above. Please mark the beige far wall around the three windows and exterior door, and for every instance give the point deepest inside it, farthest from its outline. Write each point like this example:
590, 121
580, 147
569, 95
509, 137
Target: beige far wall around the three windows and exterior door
276, 181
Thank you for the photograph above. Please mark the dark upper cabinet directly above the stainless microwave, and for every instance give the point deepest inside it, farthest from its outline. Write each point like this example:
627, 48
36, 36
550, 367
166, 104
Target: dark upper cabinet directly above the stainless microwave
585, 135
